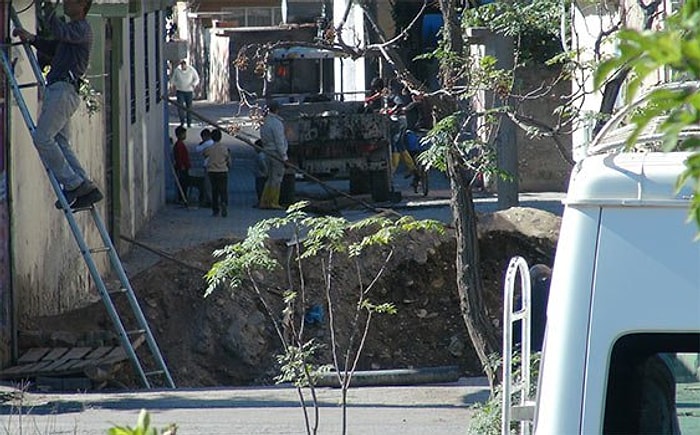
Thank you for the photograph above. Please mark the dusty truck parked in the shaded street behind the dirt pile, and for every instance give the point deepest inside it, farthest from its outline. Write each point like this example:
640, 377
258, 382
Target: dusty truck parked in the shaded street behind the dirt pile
330, 136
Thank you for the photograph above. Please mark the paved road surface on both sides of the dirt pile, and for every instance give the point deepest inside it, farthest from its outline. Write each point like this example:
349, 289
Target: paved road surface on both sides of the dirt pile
434, 409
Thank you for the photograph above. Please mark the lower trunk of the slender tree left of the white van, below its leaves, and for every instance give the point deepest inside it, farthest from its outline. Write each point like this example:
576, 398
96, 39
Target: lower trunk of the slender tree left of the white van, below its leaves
470, 287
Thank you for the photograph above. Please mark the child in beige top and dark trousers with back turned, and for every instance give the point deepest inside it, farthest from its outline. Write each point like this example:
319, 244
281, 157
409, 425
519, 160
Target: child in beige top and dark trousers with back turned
218, 163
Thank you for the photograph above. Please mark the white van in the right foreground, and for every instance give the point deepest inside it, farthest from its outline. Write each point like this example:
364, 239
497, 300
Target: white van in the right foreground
622, 342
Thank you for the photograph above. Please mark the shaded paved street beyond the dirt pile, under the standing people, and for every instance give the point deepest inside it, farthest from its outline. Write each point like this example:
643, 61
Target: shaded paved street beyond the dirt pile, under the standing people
176, 227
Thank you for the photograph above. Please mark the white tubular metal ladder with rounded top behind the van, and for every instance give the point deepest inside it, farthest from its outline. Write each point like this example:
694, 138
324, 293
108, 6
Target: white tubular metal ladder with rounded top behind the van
524, 411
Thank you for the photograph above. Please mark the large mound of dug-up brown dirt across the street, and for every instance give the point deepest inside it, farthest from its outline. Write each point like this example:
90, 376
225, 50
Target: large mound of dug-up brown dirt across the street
228, 338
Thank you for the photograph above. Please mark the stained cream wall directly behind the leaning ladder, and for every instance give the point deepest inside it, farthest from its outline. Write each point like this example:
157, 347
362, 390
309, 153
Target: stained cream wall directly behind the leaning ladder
49, 273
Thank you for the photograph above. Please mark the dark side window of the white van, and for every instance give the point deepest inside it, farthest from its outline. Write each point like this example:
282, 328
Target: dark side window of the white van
653, 385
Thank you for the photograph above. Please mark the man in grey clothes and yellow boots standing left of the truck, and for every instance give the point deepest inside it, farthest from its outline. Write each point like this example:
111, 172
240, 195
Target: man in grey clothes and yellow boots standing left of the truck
275, 146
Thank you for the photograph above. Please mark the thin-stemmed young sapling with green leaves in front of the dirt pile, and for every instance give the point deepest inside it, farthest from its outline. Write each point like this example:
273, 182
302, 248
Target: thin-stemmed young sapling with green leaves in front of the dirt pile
316, 240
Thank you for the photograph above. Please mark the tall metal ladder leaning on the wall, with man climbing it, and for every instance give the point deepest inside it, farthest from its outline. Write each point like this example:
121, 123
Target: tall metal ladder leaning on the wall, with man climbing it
127, 338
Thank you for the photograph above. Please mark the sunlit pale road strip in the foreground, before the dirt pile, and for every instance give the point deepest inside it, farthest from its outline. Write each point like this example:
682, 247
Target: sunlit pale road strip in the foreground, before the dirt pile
427, 409
